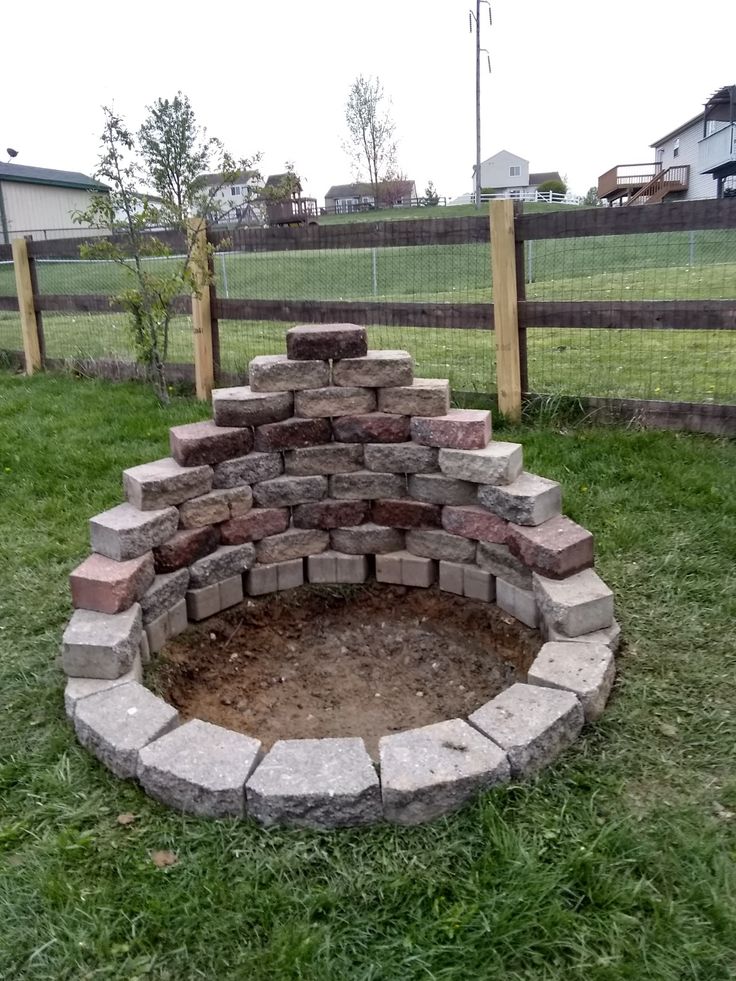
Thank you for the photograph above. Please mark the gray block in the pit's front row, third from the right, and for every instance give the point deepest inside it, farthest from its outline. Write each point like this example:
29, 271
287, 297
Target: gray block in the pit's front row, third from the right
432, 771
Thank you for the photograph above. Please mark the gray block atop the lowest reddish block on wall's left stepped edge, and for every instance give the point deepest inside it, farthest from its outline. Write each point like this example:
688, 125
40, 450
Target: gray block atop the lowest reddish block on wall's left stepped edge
124, 532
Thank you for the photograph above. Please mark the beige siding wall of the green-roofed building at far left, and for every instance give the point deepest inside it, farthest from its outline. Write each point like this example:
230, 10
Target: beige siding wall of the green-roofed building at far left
43, 211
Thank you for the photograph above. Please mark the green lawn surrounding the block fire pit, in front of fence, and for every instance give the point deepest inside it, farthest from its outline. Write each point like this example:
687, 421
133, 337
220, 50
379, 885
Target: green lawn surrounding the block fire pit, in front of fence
618, 862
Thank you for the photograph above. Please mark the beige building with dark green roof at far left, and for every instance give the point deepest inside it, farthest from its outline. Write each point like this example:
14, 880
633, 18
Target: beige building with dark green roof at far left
39, 202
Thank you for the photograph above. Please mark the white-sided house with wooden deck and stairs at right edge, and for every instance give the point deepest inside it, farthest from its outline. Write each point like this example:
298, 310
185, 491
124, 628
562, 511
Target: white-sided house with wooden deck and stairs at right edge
696, 160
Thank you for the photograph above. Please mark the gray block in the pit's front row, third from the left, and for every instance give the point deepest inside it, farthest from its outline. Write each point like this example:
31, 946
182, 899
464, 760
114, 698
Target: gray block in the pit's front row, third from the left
315, 783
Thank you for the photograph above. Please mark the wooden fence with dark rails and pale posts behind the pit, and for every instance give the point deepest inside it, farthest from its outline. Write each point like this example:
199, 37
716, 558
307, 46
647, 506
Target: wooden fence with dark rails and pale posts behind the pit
510, 316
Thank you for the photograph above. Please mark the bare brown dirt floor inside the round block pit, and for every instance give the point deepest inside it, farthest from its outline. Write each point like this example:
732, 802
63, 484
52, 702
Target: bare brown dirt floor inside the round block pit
343, 661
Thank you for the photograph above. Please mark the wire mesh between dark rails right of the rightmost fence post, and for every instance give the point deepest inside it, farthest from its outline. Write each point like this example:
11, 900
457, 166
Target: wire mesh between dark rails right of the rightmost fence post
668, 365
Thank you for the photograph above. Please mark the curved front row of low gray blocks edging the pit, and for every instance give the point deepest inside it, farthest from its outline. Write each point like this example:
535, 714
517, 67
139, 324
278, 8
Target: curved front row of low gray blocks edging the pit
203, 769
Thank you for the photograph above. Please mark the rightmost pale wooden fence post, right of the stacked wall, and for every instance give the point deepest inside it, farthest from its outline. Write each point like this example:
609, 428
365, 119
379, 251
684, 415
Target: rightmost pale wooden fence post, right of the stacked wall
505, 309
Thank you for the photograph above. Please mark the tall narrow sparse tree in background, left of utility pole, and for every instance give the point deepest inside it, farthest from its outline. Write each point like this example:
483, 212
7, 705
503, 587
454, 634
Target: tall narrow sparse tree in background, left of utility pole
371, 129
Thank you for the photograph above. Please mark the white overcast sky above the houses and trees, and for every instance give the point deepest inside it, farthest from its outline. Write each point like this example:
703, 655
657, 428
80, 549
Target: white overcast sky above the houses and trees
576, 86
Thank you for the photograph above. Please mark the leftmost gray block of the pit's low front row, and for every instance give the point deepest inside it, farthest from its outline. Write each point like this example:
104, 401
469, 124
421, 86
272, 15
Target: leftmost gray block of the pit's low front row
117, 723
